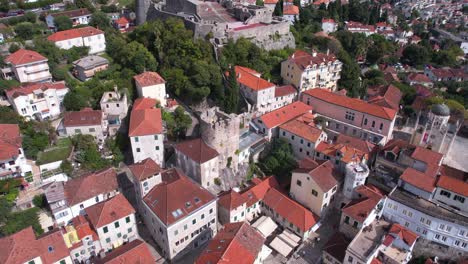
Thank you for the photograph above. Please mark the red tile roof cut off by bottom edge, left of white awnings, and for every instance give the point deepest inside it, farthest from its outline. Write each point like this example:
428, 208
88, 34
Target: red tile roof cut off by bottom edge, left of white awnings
235, 243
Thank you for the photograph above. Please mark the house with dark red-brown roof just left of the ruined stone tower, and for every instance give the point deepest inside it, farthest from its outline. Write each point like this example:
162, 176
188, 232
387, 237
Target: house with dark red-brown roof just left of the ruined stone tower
198, 161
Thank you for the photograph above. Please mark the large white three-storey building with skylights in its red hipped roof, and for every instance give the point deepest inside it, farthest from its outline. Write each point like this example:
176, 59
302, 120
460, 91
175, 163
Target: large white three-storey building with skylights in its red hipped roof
179, 214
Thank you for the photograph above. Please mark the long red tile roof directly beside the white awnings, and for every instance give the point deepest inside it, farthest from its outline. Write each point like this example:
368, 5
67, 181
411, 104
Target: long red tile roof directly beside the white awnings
290, 210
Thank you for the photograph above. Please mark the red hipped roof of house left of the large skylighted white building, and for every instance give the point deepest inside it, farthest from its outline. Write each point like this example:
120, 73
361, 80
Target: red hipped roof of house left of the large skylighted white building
109, 211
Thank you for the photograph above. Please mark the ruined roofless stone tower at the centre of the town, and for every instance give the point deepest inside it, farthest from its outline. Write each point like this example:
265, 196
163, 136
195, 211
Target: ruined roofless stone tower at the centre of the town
221, 132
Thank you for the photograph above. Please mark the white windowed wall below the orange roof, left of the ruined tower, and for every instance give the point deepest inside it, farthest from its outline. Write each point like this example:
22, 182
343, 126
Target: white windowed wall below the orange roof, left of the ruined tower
150, 146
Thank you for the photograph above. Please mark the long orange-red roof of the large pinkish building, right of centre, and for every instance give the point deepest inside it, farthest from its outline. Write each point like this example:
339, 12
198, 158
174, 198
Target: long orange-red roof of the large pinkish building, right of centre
352, 103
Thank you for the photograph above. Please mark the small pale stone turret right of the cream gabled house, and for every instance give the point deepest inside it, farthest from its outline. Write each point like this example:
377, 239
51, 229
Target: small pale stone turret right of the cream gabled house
356, 175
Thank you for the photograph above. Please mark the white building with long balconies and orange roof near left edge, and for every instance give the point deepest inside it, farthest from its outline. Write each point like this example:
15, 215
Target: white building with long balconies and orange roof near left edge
29, 66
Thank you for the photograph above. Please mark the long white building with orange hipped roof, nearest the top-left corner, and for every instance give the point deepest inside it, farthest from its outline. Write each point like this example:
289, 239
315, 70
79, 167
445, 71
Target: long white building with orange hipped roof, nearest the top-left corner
90, 37
